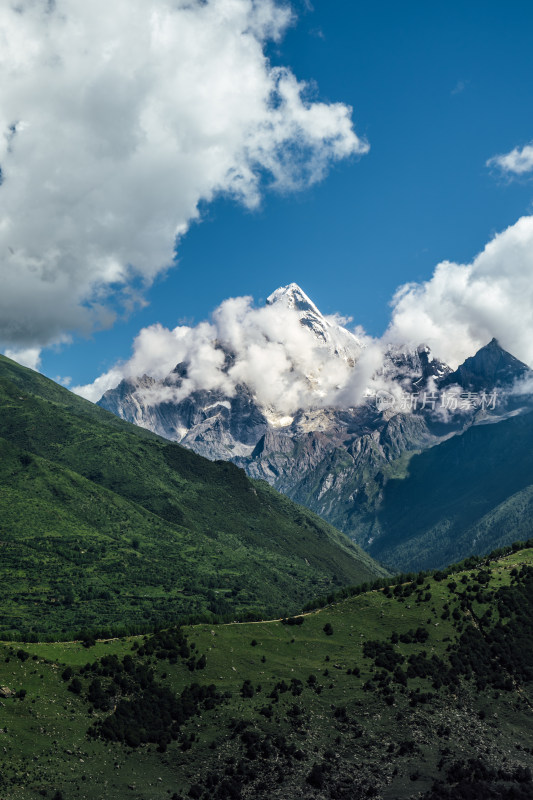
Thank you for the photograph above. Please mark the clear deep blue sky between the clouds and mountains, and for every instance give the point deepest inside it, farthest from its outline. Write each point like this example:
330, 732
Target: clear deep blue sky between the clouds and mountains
437, 89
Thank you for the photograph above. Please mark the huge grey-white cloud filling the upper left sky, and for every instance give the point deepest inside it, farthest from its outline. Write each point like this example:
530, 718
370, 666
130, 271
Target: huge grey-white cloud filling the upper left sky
116, 123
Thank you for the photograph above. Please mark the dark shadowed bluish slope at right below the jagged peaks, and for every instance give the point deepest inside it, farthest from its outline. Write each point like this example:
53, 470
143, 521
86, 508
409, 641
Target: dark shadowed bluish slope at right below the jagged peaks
469, 494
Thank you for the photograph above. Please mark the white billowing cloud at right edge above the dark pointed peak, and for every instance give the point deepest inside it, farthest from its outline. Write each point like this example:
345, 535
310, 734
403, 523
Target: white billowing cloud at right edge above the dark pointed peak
463, 306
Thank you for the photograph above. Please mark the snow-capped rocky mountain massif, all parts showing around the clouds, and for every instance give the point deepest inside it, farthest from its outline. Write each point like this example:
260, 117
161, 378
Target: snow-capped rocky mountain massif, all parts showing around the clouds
336, 461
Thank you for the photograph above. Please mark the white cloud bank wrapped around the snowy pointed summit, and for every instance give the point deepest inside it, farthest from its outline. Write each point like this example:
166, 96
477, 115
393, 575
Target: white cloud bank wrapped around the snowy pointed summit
280, 360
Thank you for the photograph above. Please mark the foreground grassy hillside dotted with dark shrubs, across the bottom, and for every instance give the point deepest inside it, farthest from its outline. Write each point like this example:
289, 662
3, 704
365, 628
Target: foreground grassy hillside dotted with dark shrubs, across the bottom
421, 690
